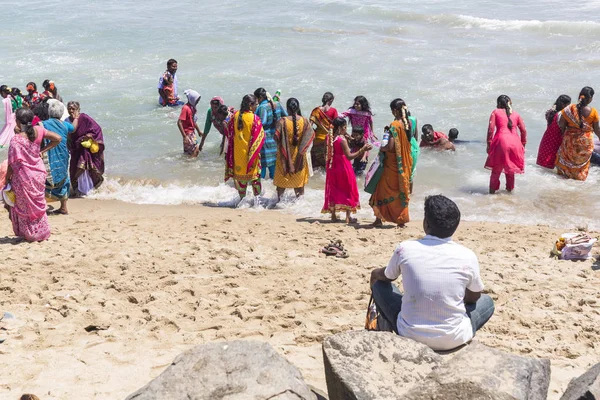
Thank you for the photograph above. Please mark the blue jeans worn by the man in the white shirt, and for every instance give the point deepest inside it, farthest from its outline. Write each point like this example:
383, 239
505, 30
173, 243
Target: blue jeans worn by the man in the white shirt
388, 300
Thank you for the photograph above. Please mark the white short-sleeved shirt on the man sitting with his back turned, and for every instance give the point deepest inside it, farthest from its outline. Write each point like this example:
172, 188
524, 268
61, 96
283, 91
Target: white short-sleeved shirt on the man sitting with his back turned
435, 273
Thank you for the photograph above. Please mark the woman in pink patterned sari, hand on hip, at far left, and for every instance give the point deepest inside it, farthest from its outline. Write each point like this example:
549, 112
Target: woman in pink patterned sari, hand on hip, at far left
27, 177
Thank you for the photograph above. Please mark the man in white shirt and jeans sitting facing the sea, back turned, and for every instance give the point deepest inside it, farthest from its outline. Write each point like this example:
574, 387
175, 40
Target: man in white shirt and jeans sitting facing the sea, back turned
442, 305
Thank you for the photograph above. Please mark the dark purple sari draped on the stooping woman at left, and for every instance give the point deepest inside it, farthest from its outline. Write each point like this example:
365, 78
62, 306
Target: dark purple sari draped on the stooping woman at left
82, 159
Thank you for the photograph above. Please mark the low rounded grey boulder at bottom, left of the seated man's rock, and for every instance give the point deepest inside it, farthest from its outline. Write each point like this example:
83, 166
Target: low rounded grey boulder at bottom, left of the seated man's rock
230, 370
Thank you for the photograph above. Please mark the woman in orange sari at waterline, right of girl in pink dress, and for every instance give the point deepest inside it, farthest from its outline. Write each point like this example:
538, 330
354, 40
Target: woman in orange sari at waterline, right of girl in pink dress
392, 194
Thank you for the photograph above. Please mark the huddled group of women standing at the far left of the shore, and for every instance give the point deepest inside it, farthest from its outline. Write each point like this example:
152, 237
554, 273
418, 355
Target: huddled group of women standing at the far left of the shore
54, 152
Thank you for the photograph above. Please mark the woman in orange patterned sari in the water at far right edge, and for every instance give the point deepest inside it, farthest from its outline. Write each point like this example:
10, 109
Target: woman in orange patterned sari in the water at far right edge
578, 123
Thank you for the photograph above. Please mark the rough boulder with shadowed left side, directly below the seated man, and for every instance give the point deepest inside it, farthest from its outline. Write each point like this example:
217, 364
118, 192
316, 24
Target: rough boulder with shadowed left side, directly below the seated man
374, 365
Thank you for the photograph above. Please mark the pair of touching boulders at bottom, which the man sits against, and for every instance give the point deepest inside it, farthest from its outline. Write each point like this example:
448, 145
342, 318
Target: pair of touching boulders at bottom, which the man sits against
364, 365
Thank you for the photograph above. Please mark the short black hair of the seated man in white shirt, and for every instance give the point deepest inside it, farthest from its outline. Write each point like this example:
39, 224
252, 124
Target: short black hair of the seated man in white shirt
442, 216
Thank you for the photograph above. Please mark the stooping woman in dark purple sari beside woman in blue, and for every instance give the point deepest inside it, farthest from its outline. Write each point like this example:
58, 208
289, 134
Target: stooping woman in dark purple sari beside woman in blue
86, 145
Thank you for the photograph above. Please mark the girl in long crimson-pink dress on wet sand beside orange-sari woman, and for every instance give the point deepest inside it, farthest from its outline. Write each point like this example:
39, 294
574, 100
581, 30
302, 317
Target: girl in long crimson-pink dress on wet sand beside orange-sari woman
341, 191
